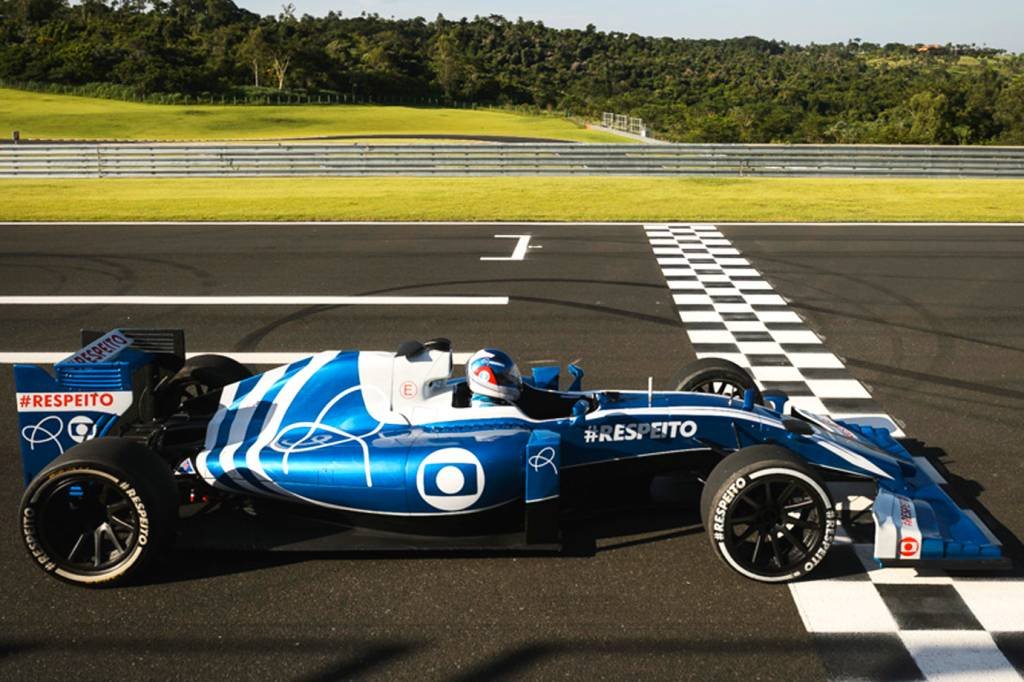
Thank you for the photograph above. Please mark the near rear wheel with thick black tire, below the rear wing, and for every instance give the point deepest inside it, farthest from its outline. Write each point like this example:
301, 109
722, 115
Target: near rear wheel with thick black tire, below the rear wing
99, 515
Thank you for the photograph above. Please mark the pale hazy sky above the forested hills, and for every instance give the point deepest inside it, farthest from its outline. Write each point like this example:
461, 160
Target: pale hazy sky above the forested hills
993, 23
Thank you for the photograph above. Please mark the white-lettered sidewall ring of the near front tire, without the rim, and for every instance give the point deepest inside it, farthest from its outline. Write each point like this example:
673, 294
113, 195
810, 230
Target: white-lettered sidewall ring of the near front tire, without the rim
728, 494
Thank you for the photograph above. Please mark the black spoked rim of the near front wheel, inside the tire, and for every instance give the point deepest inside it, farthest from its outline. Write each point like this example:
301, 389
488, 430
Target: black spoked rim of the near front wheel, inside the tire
775, 526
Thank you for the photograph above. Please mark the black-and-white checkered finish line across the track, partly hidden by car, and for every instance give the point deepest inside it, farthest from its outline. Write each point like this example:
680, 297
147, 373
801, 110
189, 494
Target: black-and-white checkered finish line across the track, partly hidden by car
869, 623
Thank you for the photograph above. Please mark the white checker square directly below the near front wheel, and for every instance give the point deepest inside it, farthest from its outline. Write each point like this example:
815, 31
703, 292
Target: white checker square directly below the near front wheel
828, 607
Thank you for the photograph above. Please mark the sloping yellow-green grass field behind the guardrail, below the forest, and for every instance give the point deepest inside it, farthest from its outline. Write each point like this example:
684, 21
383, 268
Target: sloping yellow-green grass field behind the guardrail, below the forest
49, 116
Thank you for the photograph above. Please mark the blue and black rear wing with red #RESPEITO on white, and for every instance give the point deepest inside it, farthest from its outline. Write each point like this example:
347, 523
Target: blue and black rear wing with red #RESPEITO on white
106, 386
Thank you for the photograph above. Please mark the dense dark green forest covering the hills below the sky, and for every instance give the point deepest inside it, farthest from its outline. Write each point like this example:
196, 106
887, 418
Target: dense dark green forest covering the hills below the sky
738, 91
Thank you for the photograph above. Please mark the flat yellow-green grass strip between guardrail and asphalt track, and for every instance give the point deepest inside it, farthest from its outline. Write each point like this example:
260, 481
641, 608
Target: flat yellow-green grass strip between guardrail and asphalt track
516, 199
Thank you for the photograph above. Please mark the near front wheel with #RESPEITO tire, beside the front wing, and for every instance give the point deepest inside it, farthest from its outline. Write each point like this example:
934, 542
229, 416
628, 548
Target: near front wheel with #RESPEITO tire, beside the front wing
769, 515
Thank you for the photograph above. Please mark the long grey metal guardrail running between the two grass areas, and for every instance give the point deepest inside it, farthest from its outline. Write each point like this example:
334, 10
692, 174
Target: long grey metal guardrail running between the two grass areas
126, 160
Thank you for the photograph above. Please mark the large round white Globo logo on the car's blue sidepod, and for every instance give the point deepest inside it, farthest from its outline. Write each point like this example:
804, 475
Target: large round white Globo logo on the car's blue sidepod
451, 480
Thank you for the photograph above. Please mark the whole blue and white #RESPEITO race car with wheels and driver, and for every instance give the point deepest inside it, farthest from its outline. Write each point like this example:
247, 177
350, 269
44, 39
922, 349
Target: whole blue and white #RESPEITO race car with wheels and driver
127, 448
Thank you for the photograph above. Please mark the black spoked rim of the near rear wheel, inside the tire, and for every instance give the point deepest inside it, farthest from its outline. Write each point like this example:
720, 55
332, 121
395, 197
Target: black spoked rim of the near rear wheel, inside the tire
88, 525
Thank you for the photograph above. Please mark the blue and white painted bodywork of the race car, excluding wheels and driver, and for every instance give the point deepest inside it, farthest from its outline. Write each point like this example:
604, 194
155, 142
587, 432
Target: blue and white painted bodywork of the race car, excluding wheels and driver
375, 434
